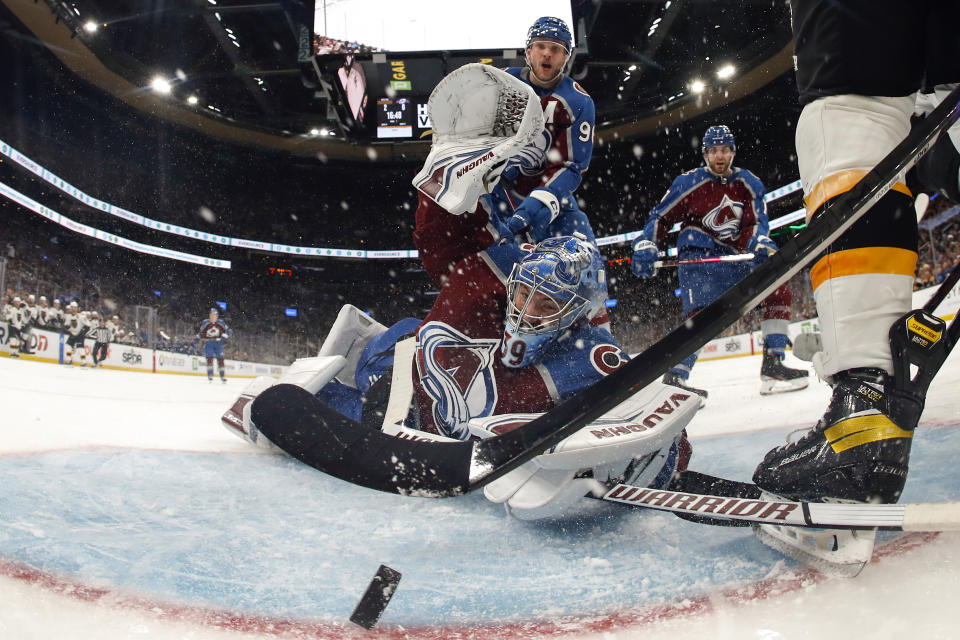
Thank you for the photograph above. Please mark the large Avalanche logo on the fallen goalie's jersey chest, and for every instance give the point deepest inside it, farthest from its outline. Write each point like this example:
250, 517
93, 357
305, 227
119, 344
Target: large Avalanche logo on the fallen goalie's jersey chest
457, 372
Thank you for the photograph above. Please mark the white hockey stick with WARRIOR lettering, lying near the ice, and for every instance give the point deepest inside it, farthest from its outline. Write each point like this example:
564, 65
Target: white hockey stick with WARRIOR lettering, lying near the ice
938, 516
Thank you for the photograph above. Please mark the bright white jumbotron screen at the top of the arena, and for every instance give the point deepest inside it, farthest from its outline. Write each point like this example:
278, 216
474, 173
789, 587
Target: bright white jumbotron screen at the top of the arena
362, 26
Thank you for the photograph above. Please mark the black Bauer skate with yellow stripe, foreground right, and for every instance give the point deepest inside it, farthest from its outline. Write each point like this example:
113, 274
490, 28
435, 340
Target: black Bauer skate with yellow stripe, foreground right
859, 451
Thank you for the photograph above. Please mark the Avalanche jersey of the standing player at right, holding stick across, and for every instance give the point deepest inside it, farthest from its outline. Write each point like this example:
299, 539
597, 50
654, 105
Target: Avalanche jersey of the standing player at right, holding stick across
730, 210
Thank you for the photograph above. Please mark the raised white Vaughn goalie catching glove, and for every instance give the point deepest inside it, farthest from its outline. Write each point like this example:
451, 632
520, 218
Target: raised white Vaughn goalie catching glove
481, 117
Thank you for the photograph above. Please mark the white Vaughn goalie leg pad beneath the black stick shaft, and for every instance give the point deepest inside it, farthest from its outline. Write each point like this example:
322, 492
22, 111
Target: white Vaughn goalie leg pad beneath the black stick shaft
640, 431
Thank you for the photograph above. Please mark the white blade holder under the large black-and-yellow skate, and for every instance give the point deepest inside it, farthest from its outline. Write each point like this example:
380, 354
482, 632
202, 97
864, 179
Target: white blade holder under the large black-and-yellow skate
833, 552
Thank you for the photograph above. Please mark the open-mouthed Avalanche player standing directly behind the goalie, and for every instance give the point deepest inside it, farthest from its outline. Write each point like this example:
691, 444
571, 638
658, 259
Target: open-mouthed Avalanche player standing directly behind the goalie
536, 192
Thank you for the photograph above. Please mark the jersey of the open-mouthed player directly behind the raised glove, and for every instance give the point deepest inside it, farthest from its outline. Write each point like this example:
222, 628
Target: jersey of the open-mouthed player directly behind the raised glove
569, 115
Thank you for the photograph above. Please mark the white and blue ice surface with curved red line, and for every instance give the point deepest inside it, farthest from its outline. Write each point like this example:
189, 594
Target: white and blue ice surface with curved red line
127, 511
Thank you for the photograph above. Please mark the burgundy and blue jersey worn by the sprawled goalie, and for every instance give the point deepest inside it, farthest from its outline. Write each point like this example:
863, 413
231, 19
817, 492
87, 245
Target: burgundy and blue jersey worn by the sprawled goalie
458, 373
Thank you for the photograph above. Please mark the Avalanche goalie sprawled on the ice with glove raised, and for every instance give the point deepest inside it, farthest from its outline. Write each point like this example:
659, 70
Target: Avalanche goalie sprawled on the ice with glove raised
515, 329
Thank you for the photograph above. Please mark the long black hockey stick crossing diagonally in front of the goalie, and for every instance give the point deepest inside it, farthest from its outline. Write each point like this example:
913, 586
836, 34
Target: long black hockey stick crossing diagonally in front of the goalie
298, 423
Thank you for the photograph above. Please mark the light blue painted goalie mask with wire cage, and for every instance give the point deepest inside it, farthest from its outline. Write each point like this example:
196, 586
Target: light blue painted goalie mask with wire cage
561, 282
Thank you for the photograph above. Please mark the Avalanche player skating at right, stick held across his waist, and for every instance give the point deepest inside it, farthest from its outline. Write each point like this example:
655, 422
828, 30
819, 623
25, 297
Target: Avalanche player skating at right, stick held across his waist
721, 212
